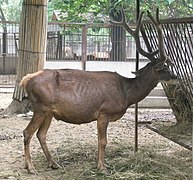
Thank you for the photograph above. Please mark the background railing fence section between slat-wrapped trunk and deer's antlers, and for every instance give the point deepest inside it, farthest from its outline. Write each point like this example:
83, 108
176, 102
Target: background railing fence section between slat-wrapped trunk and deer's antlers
68, 41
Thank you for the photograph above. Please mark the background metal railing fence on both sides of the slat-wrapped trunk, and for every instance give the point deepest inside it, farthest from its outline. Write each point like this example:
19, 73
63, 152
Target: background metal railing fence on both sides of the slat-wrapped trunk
65, 42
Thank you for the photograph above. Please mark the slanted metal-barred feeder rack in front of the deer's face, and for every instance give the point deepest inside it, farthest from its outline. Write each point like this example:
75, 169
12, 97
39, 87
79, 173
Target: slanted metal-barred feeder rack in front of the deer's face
178, 40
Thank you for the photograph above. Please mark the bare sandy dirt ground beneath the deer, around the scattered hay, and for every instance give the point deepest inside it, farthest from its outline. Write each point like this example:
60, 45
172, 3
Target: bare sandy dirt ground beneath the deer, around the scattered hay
78, 139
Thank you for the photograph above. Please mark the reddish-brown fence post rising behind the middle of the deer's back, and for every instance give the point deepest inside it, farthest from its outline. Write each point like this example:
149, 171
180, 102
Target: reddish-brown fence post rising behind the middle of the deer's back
84, 46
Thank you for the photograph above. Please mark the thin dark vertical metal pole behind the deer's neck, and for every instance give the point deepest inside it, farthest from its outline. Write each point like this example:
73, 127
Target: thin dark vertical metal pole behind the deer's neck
137, 67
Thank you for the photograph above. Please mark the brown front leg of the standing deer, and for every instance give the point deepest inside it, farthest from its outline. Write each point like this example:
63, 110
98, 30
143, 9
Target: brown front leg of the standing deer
102, 141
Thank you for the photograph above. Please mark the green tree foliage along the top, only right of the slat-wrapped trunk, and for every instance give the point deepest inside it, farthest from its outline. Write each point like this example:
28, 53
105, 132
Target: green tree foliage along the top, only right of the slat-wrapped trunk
78, 11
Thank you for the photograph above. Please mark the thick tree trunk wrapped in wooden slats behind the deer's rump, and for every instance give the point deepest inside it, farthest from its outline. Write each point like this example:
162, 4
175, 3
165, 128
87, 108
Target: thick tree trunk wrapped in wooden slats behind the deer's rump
32, 45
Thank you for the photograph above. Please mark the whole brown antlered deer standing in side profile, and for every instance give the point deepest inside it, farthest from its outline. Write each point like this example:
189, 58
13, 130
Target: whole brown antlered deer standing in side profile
78, 97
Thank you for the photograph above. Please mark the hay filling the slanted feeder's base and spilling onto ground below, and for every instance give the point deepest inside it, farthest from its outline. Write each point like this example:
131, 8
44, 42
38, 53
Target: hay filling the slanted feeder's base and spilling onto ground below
181, 103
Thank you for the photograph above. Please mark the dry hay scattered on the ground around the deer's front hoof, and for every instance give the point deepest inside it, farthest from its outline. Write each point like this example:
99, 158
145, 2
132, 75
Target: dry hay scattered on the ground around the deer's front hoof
78, 162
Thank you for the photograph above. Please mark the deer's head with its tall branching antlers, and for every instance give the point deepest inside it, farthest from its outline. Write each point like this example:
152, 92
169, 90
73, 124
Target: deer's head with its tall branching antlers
159, 62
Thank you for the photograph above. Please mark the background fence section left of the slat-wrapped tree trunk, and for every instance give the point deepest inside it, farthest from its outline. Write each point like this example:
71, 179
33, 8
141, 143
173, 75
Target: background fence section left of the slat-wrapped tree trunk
9, 32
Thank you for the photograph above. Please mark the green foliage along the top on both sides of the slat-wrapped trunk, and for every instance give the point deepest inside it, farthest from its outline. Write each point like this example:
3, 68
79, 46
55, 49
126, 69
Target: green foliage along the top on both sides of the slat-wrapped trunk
98, 10
